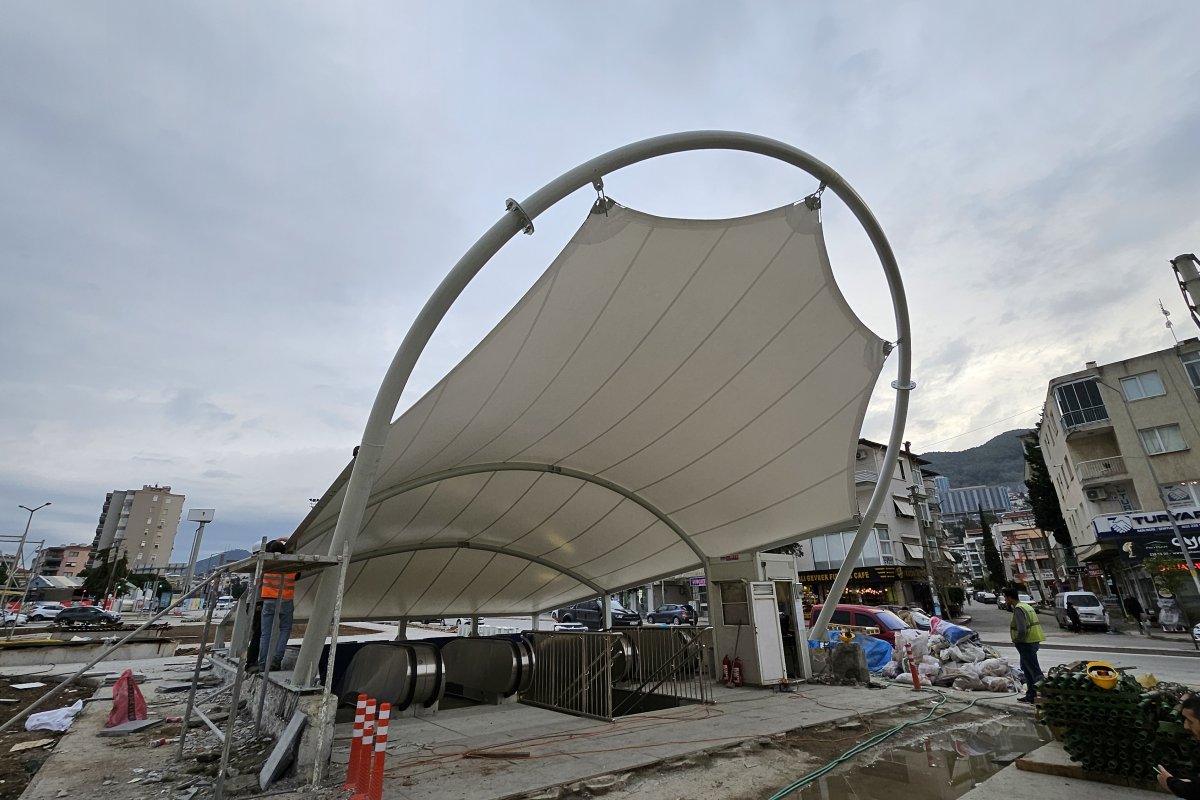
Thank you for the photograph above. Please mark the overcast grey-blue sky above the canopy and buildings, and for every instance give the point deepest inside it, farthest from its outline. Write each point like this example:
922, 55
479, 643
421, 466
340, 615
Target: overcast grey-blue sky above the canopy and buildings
219, 220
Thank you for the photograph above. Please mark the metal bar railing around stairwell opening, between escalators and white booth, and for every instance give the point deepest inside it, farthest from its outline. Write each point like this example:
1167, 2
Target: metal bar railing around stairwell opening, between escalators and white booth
609, 675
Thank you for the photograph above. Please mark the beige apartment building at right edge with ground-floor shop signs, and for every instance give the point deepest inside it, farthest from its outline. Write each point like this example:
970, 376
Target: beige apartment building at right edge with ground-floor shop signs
1123, 447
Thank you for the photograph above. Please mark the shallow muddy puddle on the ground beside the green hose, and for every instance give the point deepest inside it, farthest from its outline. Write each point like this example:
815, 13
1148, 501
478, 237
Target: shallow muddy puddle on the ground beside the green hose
940, 767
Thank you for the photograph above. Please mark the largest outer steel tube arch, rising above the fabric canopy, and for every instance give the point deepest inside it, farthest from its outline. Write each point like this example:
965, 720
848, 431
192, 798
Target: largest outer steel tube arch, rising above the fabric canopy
519, 218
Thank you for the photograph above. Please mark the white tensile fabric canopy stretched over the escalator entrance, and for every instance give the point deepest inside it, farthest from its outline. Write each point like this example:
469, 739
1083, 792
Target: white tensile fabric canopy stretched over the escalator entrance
669, 390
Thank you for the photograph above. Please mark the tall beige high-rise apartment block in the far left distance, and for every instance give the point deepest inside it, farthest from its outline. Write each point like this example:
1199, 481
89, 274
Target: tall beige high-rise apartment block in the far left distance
140, 525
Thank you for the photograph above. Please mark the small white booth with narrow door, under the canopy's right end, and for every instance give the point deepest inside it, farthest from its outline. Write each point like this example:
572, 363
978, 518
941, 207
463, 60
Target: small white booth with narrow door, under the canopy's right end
758, 617
